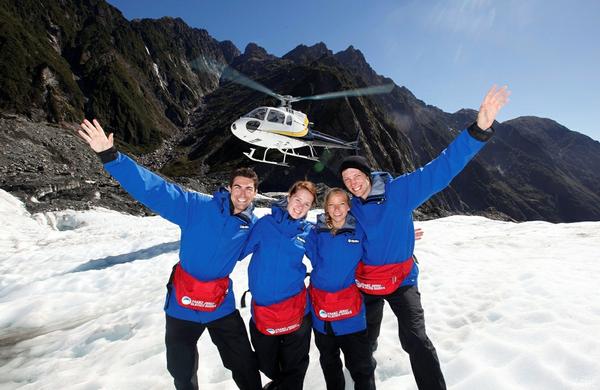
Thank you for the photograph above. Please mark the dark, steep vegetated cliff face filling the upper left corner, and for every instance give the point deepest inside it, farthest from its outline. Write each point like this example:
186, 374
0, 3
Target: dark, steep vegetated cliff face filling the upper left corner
65, 59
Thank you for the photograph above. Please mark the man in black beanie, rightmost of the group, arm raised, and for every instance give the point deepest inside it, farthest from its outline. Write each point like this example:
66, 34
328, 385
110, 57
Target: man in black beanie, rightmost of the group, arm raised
383, 207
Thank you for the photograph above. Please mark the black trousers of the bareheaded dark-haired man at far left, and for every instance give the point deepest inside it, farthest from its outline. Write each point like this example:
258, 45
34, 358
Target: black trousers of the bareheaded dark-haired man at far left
227, 333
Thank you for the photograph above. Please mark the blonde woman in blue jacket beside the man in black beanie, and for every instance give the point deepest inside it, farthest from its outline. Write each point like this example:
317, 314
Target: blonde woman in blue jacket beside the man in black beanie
335, 248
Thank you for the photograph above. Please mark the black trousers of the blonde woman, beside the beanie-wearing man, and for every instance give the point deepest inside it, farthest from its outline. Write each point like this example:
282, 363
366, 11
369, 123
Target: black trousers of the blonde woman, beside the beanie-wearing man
357, 356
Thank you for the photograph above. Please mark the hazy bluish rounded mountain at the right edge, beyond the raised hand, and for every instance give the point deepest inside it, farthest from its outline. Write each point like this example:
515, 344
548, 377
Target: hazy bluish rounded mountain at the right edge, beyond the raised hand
546, 171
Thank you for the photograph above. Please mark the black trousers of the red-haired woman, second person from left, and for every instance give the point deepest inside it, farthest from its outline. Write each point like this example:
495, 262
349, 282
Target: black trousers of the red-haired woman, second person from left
284, 358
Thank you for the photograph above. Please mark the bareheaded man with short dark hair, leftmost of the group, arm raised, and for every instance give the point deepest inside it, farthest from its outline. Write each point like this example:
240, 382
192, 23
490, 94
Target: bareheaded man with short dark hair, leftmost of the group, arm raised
200, 292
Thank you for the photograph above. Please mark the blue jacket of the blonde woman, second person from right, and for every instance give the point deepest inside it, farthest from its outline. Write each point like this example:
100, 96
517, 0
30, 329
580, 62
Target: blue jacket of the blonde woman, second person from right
334, 259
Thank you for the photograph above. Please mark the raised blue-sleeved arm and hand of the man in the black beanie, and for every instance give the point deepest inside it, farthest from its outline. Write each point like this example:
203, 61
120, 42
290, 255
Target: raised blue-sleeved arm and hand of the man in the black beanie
413, 189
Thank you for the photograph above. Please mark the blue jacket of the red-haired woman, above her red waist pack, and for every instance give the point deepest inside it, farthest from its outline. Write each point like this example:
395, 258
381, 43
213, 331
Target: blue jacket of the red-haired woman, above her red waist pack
276, 271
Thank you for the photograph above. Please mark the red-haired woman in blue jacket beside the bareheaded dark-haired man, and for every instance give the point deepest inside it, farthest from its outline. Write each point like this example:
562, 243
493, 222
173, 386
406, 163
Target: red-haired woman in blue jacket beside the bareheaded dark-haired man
280, 324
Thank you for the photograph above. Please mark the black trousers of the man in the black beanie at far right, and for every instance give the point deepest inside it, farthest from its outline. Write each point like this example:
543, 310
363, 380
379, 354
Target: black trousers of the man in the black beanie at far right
406, 305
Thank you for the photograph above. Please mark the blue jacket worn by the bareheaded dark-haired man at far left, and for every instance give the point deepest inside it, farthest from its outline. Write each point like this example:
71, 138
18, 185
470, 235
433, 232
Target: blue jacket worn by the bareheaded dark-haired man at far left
211, 237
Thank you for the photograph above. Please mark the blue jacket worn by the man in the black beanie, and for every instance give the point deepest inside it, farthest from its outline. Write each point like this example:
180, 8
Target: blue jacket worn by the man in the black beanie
386, 214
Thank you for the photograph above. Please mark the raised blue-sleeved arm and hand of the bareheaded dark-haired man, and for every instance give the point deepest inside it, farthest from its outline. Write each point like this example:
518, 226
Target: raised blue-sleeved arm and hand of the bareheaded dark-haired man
167, 199
